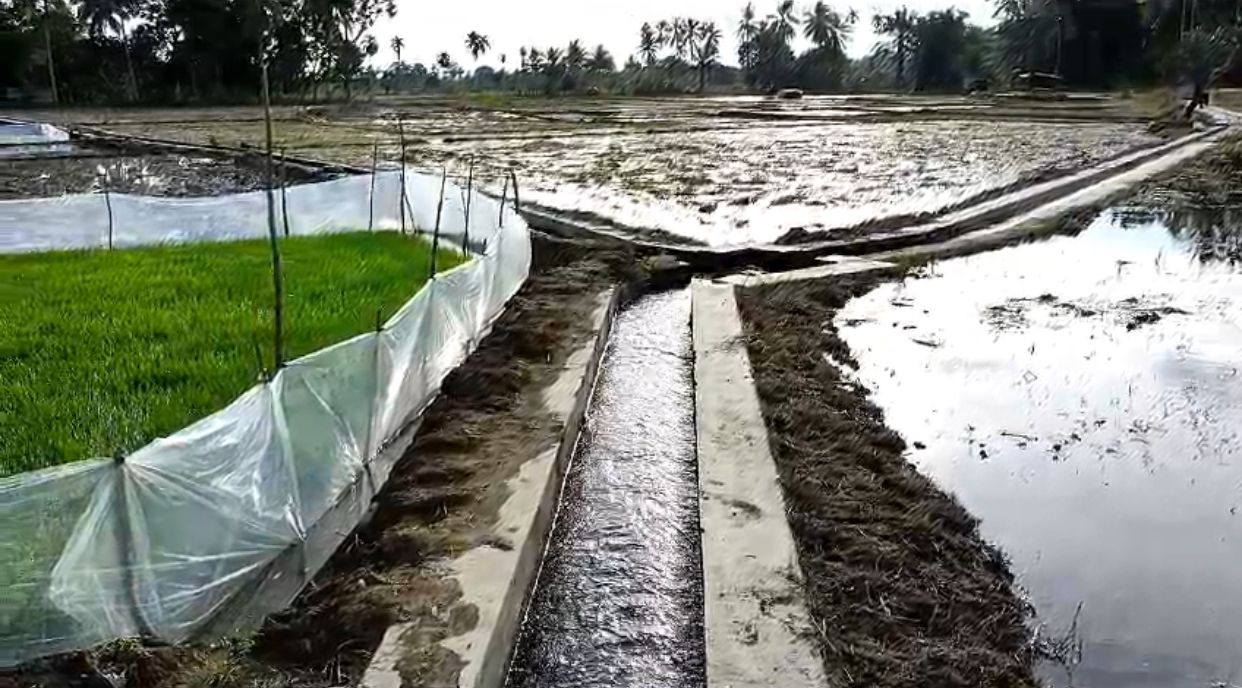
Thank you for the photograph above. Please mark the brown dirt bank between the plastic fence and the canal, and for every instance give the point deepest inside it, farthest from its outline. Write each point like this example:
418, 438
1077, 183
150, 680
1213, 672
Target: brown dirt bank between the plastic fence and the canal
442, 500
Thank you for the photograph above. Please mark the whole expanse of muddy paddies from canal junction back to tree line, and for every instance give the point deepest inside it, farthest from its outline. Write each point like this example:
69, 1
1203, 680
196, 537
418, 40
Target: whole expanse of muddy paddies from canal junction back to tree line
717, 171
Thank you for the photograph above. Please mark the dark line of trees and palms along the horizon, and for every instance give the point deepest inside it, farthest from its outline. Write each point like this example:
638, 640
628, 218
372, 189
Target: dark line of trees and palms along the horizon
96, 52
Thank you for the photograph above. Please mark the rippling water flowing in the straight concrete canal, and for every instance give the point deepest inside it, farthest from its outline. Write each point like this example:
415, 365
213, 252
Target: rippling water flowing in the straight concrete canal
619, 599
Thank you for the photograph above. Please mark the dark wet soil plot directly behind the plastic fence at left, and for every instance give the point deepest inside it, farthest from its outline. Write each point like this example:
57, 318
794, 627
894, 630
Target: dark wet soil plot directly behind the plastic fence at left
137, 172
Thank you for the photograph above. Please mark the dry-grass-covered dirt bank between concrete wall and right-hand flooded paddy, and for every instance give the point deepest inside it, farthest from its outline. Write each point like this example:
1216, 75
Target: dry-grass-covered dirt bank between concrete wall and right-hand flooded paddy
904, 591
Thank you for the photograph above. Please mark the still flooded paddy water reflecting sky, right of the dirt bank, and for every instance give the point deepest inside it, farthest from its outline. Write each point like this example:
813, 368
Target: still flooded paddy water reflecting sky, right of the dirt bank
1082, 397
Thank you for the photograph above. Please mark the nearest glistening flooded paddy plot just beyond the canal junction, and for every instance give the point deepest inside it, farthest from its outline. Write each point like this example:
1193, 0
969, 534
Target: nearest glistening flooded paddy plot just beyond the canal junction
758, 183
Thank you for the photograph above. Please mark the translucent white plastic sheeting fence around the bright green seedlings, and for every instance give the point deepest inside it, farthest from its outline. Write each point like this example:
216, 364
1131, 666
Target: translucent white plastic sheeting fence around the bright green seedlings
208, 531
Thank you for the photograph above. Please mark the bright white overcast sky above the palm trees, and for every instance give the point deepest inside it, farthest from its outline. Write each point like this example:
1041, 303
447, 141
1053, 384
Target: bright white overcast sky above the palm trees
432, 28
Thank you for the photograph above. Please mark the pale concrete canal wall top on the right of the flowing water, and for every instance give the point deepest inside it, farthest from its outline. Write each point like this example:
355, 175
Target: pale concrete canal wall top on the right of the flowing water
755, 614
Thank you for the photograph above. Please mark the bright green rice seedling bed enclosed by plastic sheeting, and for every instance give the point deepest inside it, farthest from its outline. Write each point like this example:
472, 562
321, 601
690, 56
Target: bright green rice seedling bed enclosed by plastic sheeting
104, 352
